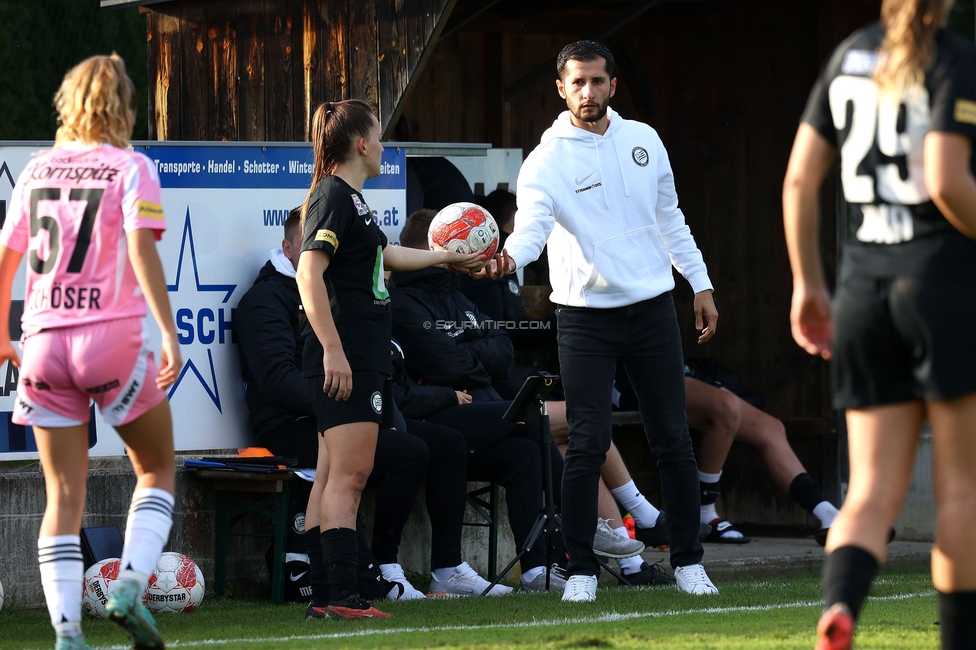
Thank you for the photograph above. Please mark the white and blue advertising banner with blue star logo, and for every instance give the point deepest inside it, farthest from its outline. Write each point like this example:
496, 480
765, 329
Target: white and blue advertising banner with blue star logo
225, 206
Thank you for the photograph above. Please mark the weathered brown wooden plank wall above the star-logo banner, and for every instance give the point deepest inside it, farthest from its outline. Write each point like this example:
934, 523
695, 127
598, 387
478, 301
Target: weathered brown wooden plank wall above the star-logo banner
256, 69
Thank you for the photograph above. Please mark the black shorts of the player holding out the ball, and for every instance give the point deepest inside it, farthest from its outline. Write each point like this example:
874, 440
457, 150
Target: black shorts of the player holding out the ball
371, 401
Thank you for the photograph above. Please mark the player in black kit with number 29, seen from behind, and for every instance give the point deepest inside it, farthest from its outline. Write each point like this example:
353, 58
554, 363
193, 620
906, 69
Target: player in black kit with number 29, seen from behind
898, 100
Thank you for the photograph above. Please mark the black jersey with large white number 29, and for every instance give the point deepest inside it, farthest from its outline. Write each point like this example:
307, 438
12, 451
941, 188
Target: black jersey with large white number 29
893, 227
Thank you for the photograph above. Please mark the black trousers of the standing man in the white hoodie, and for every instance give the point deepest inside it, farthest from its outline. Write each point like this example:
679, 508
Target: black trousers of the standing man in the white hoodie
645, 336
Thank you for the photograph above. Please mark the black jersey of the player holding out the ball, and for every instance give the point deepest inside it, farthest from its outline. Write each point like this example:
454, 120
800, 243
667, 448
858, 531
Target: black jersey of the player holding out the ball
340, 222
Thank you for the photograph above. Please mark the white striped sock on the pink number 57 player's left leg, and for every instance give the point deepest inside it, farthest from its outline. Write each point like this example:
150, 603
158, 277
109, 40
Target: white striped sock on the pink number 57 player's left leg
62, 572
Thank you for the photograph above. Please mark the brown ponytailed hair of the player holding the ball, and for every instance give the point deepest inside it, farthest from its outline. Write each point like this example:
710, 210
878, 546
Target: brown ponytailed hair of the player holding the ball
335, 125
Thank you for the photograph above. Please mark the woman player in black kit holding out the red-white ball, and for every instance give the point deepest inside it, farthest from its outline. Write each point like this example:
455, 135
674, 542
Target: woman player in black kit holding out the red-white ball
347, 351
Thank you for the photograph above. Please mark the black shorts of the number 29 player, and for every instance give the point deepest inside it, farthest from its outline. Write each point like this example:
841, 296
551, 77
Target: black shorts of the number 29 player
902, 339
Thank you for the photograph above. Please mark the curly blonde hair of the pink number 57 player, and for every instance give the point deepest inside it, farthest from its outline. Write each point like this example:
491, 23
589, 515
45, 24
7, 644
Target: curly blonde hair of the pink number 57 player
96, 103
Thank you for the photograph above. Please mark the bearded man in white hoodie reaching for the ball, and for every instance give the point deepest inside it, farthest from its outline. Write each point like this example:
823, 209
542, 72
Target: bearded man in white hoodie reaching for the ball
600, 191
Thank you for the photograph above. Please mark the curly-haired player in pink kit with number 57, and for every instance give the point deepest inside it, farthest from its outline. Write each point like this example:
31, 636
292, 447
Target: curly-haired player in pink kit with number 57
88, 215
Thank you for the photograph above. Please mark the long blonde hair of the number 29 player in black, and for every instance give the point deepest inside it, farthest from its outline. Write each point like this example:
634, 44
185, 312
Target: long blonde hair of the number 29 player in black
909, 44
